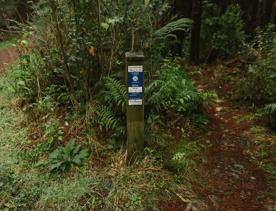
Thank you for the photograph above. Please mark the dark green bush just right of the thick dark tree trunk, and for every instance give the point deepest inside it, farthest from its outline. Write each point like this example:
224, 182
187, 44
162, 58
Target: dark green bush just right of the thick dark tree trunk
224, 34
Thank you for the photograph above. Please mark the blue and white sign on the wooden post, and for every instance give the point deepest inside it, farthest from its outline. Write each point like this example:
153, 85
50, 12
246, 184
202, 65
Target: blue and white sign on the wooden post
135, 85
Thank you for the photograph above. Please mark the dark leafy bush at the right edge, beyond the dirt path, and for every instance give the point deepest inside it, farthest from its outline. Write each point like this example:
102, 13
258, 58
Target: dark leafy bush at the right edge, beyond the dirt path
258, 83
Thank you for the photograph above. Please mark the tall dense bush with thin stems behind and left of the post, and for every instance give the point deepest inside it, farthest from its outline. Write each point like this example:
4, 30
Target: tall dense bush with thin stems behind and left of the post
65, 56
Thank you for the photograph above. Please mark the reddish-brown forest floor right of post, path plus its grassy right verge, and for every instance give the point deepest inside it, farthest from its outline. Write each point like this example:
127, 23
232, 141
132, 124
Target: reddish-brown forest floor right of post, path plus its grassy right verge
232, 178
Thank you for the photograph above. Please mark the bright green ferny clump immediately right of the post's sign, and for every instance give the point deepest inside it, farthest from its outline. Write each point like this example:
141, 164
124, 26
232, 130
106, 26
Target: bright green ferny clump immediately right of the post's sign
173, 90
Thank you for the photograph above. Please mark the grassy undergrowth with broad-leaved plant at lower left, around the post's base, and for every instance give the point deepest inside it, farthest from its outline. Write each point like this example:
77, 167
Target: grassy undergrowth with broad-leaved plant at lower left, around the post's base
103, 182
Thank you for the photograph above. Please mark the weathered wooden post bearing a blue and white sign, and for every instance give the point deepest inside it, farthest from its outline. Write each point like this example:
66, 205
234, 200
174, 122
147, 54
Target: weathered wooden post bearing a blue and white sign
135, 105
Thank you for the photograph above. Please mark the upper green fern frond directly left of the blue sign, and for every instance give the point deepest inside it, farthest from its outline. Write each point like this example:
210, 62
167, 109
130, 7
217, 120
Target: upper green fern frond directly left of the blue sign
116, 93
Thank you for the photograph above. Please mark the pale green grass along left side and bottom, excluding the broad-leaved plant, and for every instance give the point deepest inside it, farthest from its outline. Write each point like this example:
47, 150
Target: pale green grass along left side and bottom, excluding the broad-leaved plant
108, 187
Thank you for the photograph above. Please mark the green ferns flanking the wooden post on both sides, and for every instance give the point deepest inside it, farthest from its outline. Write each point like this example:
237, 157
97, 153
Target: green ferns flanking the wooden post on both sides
169, 92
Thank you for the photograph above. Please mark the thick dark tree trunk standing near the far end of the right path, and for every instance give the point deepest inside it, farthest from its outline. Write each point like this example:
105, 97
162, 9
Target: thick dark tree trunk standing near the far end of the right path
196, 28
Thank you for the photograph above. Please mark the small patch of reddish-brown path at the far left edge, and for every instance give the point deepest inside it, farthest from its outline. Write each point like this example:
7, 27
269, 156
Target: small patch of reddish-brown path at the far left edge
7, 56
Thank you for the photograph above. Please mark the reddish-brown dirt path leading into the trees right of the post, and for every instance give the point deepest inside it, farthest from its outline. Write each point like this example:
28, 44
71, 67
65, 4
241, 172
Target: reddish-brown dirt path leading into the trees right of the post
230, 178
